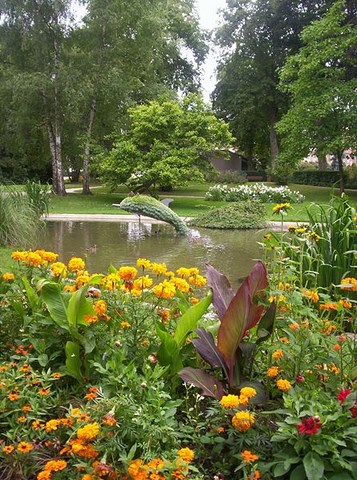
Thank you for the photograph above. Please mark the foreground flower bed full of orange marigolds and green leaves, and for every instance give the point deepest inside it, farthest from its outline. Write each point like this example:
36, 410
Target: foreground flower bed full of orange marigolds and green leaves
134, 375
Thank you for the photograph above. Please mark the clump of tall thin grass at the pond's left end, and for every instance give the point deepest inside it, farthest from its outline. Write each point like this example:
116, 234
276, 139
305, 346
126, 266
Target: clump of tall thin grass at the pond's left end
19, 219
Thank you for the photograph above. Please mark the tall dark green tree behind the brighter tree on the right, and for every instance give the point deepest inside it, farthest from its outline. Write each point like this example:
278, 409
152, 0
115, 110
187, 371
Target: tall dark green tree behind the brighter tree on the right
256, 37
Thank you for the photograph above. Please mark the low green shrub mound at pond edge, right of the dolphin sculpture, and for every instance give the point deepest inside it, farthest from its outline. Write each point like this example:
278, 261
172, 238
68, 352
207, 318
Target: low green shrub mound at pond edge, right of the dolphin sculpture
240, 215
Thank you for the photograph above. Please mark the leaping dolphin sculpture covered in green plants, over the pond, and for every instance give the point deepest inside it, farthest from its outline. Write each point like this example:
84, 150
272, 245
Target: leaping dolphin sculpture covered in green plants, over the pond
150, 207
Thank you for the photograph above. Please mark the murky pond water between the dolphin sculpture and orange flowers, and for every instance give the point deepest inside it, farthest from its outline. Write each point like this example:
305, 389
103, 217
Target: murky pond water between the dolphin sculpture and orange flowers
232, 252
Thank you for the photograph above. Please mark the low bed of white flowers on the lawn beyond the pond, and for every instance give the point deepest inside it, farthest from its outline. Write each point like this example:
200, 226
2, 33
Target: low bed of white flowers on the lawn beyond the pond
256, 191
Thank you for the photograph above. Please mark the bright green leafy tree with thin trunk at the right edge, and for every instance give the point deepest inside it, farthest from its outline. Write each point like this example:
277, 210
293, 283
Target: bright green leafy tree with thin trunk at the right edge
322, 81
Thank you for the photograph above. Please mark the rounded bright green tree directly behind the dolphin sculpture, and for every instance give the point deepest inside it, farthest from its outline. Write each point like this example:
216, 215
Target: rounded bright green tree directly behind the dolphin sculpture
166, 144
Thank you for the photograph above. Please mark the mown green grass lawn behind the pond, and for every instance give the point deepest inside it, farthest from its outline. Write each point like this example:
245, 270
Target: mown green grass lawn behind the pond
188, 201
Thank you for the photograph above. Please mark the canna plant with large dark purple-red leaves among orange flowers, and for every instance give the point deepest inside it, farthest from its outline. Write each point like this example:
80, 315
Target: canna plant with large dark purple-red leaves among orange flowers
238, 312
